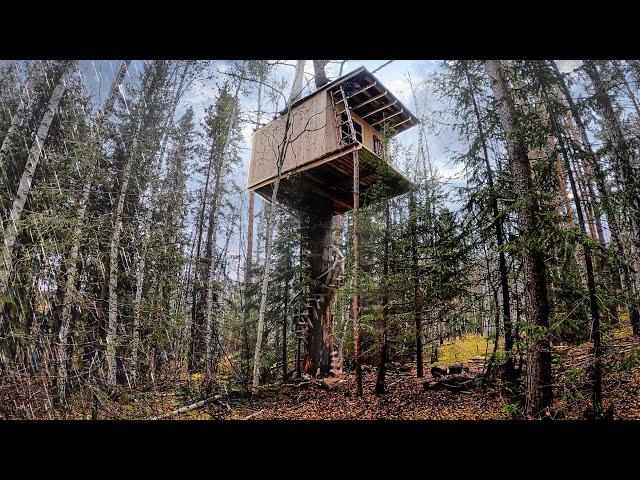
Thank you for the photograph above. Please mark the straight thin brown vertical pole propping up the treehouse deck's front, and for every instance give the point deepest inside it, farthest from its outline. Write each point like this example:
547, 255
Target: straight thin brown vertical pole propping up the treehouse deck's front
356, 271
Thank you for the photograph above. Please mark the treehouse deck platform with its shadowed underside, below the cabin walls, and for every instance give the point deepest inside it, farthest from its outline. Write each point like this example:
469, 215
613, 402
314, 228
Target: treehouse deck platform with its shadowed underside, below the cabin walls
330, 179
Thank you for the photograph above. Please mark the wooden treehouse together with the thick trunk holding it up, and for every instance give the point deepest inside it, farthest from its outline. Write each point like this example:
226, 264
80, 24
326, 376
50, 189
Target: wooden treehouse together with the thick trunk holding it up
330, 149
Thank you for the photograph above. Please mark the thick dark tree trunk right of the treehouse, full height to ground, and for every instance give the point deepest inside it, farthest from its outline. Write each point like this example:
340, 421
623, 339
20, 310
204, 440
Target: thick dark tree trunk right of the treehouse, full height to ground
538, 388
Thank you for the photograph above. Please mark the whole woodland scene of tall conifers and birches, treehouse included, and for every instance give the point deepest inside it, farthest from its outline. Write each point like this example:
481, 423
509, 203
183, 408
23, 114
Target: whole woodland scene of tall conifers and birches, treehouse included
490, 270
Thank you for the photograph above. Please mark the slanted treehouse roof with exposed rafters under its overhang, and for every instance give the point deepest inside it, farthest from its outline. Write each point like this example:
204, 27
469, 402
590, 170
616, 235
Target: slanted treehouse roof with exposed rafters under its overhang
370, 99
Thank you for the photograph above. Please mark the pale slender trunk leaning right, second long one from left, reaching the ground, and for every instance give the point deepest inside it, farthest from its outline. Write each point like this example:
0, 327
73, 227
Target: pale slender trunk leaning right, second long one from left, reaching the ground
72, 260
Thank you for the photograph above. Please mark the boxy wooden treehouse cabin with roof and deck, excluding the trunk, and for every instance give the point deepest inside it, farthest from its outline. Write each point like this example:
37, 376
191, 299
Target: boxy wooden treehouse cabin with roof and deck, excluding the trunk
315, 143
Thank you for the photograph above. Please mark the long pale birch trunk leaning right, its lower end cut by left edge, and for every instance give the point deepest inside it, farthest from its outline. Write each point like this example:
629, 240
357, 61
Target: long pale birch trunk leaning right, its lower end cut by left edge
13, 223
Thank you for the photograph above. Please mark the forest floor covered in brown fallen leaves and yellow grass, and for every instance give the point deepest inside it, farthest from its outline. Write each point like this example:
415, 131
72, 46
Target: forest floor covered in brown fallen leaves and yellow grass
334, 398
